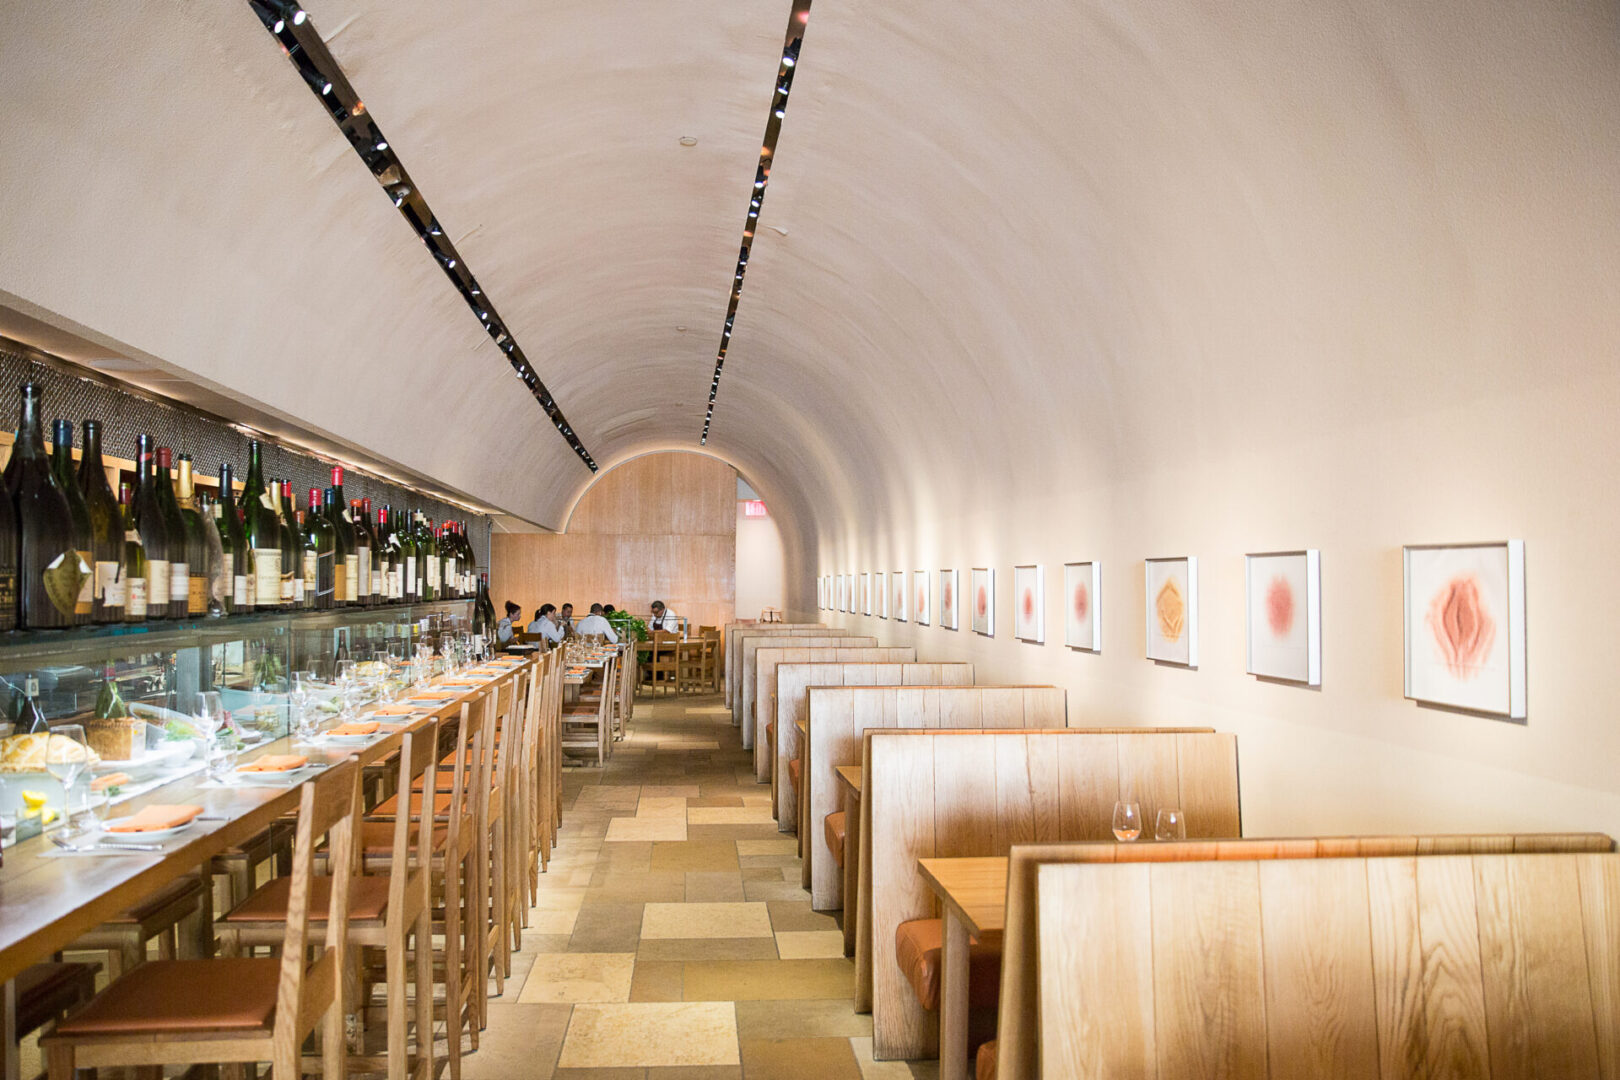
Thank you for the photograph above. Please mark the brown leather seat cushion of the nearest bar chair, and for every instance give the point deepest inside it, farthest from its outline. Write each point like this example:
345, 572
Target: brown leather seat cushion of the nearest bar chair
231, 995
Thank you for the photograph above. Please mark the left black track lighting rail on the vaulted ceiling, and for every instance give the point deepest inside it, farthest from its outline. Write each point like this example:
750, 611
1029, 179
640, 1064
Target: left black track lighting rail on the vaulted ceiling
296, 33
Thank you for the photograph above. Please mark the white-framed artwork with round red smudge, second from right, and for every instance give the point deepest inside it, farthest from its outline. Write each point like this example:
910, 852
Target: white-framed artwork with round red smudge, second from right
1285, 614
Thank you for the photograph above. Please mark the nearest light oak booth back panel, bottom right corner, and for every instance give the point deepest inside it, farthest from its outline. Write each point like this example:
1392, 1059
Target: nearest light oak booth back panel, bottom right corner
1504, 967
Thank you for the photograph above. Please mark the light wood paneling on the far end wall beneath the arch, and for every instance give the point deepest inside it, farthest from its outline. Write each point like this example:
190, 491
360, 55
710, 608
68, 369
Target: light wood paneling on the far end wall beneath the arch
662, 527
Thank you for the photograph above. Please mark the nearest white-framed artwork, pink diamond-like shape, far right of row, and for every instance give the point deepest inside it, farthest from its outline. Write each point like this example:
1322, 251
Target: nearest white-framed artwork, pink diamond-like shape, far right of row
1465, 627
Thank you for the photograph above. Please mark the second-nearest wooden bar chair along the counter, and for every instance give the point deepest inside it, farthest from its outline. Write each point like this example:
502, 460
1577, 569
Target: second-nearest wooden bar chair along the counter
390, 912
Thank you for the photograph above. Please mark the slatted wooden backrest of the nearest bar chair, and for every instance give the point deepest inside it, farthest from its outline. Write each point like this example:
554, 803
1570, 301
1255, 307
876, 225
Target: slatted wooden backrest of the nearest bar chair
328, 807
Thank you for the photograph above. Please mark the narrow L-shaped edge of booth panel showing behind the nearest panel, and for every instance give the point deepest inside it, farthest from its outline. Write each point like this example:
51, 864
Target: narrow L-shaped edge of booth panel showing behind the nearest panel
1017, 1032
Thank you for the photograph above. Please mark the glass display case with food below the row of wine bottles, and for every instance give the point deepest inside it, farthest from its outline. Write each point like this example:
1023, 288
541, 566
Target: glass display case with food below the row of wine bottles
137, 687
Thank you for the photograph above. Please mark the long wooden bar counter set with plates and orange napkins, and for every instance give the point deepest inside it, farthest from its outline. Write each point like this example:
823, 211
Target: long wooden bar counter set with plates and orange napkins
46, 904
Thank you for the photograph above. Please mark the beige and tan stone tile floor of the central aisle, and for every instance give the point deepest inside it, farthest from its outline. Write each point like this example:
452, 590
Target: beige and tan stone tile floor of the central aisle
671, 940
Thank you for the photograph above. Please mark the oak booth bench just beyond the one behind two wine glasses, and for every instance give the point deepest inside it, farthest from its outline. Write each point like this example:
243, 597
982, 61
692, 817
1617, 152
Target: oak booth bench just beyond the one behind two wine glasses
840, 721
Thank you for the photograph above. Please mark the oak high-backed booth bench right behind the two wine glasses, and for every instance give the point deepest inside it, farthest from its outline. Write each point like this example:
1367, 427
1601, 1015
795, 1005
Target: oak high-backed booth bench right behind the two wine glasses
961, 793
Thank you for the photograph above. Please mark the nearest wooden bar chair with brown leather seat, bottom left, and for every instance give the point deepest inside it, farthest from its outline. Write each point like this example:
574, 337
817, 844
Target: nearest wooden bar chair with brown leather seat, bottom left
236, 1011
